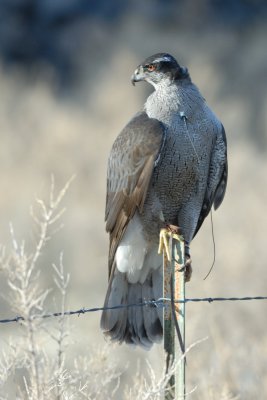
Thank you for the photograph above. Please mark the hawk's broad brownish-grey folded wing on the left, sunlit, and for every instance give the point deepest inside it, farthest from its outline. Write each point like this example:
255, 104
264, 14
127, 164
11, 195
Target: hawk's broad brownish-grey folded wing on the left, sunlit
130, 167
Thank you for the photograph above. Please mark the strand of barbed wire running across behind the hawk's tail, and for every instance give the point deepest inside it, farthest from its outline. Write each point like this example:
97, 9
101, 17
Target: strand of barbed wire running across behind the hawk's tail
161, 302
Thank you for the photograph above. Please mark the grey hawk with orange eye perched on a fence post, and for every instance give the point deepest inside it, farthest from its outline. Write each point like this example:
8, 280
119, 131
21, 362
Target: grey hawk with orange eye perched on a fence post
167, 167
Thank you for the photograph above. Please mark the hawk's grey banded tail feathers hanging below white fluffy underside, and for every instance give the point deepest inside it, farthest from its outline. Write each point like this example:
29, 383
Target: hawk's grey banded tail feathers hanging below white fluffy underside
136, 325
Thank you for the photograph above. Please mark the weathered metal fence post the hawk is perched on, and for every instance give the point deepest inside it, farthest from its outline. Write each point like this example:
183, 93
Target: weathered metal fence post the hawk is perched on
174, 288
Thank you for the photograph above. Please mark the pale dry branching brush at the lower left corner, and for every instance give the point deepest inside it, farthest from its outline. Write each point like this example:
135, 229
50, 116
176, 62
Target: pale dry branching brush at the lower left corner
37, 373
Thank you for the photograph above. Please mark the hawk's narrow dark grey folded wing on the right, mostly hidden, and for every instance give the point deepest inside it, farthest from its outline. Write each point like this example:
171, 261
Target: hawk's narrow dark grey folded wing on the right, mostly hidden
217, 180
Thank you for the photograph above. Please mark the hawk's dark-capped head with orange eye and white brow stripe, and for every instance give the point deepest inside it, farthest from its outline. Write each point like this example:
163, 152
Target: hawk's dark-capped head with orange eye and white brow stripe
159, 68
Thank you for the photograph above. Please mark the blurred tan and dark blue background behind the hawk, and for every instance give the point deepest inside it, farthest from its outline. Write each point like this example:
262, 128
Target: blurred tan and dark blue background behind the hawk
65, 93
